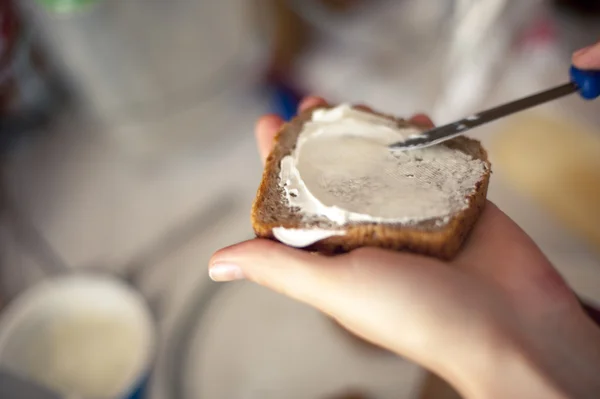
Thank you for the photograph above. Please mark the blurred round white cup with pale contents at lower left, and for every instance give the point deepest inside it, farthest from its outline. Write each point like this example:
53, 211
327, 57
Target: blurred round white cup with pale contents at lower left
83, 336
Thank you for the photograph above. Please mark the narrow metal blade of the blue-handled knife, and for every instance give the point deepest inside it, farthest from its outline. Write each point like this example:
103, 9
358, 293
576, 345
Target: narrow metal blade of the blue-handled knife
449, 131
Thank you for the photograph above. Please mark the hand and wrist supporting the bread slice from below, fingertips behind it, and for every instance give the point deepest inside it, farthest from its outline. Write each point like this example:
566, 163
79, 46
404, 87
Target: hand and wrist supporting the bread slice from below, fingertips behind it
475, 320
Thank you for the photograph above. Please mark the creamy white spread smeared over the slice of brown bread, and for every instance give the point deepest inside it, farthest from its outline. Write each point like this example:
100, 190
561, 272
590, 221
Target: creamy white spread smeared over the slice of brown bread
343, 170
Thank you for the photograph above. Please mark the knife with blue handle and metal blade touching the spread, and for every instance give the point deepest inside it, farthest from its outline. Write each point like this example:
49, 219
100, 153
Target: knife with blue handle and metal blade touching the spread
584, 82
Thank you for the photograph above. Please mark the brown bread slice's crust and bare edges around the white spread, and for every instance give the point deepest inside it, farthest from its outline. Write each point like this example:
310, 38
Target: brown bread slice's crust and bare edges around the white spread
271, 210
